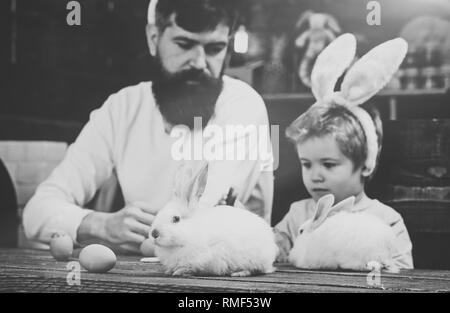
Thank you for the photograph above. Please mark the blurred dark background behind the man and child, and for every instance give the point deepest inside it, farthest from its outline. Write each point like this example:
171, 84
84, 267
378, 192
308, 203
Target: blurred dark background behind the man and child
53, 75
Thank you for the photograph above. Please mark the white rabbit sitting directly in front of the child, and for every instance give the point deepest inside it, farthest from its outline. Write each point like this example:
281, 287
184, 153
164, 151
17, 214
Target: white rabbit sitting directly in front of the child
336, 238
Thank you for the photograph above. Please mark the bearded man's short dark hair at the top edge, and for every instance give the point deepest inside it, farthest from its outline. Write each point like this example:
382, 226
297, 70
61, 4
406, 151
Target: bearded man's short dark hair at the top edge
197, 15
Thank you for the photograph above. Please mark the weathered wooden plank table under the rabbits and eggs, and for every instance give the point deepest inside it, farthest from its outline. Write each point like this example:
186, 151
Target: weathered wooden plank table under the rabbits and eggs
36, 271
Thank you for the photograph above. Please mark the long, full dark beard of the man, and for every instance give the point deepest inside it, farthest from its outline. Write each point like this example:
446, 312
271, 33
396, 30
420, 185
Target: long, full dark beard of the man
185, 95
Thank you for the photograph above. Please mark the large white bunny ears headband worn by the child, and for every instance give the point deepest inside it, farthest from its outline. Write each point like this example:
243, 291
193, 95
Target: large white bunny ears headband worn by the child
362, 81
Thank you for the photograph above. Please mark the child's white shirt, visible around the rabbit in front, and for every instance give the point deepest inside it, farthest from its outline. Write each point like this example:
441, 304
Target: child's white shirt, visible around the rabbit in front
303, 210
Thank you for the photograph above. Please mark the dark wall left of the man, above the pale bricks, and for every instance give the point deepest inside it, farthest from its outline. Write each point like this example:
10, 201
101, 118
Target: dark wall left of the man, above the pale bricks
64, 72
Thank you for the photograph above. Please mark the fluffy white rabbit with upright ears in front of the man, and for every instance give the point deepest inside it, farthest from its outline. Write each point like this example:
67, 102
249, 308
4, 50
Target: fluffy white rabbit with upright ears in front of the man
221, 240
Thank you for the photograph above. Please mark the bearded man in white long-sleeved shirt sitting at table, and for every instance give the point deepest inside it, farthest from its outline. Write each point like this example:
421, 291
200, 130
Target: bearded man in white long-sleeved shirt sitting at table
130, 135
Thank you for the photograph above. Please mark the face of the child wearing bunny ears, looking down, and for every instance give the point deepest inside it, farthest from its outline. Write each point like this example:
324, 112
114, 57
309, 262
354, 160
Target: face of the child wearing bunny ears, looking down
326, 170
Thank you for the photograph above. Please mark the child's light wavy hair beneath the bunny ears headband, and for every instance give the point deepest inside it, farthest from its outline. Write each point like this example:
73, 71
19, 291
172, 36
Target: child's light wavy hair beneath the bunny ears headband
339, 122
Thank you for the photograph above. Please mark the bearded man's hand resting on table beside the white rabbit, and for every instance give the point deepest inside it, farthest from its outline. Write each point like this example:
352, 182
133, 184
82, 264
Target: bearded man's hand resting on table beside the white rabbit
124, 230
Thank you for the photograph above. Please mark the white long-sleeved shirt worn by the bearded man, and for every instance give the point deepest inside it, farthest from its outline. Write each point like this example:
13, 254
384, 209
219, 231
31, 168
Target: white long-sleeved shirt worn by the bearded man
127, 135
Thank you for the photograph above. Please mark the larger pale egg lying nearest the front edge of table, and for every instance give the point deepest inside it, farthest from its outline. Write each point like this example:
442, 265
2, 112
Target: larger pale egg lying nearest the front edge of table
97, 258
